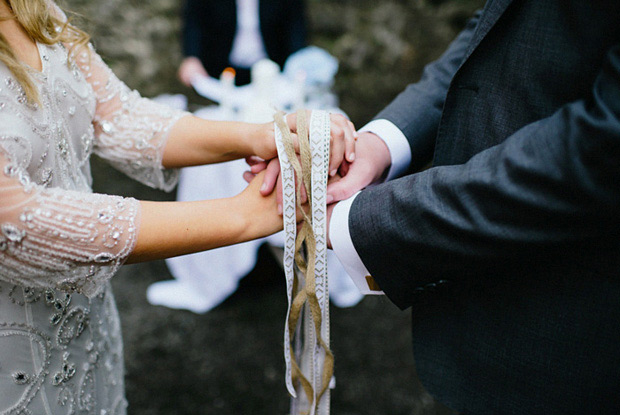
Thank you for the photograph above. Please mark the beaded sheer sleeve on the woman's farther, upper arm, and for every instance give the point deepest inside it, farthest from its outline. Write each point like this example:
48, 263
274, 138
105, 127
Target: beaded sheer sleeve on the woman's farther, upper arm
130, 131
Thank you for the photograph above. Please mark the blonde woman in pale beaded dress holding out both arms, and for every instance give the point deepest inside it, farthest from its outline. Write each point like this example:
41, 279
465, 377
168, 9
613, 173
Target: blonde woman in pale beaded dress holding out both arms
60, 340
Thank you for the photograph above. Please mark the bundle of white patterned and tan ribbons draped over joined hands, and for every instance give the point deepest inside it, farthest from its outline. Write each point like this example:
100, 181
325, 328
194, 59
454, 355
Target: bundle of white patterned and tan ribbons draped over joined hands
307, 382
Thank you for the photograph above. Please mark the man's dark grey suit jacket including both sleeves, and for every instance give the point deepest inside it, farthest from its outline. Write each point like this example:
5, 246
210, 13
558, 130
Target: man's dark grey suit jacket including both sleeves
508, 248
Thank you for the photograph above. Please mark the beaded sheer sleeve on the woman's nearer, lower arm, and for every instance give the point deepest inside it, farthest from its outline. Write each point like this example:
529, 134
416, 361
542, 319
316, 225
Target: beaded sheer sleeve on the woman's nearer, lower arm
59, 239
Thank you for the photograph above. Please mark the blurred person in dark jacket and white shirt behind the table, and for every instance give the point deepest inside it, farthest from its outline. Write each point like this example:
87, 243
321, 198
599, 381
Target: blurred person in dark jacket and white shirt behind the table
238, 33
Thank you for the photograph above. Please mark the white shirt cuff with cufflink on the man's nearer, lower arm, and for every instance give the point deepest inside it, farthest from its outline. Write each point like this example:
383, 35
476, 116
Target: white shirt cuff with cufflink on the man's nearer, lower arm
342, 246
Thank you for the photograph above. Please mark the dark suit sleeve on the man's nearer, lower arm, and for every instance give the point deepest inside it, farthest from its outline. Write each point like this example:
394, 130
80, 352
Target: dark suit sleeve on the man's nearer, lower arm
550, 188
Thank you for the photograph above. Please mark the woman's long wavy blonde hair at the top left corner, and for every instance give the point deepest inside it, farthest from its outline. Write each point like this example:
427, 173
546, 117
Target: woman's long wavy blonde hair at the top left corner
44, 23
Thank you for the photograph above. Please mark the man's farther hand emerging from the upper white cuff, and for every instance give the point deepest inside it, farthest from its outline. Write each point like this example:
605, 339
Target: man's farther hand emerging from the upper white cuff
370, 166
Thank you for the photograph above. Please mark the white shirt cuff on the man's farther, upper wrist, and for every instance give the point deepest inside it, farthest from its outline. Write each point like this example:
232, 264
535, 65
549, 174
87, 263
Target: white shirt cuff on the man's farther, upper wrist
397, 144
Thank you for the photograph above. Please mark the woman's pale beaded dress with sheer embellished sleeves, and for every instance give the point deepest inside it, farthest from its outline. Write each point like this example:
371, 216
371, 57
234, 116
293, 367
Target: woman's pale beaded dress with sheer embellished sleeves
60, 339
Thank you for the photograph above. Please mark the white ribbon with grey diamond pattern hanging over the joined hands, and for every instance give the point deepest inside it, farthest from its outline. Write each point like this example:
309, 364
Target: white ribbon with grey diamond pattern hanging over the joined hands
308, 352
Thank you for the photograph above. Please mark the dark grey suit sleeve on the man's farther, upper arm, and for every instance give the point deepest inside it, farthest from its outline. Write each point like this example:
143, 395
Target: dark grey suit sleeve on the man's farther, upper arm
417, 110
